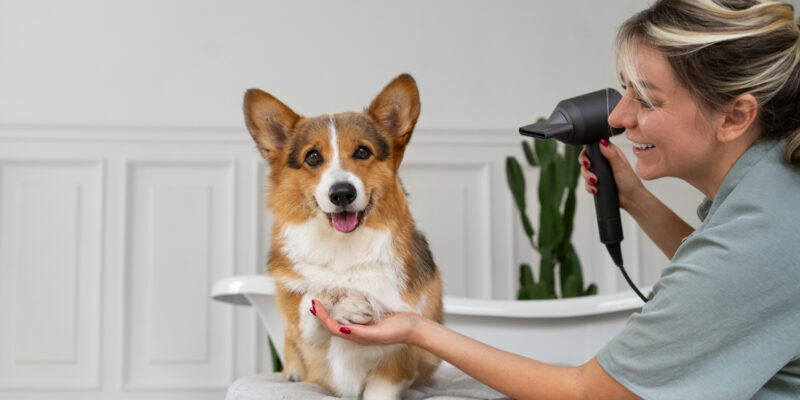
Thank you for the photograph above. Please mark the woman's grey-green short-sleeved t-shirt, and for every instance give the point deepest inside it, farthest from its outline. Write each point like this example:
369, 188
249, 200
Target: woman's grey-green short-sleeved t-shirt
725, 319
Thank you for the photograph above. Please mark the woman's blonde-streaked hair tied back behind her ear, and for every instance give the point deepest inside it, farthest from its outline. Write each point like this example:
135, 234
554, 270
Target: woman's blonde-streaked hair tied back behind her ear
720, 49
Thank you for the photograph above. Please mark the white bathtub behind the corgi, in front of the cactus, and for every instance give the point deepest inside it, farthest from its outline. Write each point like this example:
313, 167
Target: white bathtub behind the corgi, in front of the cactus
562, 332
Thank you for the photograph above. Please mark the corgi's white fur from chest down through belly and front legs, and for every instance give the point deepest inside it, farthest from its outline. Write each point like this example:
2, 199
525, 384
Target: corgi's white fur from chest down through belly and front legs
363, 261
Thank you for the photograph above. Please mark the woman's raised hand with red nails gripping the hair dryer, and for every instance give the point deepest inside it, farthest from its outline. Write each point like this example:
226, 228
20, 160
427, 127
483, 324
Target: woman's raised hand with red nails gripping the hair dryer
629, 186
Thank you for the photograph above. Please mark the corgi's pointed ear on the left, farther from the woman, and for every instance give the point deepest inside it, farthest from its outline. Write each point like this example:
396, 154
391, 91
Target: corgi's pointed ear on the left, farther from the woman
269, 121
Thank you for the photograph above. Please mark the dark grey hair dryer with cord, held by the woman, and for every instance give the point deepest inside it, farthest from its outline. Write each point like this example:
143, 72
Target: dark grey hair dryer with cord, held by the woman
583, 120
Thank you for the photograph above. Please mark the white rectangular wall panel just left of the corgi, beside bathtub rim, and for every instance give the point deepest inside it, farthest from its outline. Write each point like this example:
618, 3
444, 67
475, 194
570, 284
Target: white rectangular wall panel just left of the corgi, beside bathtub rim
180, 239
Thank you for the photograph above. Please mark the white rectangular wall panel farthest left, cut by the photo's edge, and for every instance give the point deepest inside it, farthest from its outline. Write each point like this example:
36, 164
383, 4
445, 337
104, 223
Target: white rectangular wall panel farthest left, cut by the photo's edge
50, 251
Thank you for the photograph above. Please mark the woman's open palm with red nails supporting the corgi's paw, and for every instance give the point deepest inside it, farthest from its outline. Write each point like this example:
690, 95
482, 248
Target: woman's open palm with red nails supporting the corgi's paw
395, 328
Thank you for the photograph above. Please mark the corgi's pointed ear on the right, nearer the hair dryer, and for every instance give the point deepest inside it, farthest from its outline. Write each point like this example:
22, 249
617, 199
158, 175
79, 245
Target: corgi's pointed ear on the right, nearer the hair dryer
396, 108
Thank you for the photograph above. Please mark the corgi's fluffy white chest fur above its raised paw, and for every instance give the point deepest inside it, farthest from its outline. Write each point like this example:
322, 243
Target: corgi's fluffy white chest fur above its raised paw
363, 260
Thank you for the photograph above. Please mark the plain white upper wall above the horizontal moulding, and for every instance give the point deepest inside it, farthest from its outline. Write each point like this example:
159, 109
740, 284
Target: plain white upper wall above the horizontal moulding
480, 64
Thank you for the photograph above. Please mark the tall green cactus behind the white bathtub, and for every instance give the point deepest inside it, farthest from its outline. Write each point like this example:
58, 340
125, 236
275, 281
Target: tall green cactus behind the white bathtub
558, 173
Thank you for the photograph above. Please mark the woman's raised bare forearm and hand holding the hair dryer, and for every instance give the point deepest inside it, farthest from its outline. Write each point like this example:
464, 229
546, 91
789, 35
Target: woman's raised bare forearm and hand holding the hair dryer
665, 228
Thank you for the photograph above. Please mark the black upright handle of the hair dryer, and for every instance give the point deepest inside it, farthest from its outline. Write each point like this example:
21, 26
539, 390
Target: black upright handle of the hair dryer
606, 201
